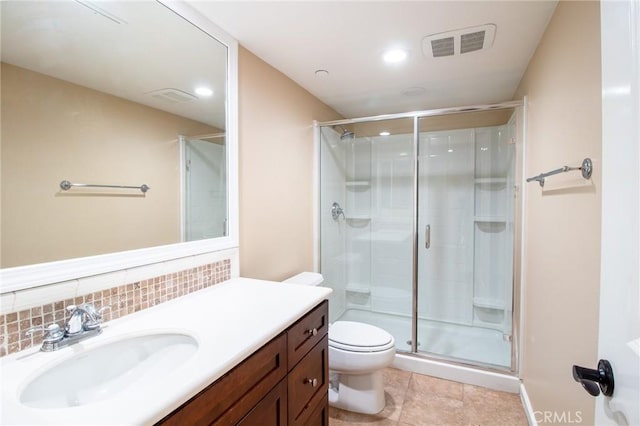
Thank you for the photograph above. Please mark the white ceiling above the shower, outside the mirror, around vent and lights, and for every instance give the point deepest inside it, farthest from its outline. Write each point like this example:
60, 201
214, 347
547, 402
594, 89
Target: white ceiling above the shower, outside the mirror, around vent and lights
347, 39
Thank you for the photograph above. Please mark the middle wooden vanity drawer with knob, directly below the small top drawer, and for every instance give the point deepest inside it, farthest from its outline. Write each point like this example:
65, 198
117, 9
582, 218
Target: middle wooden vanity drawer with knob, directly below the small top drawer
308, 383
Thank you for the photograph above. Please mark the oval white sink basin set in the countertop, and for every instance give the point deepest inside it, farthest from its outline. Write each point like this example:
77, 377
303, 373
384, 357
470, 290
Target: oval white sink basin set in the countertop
101, 372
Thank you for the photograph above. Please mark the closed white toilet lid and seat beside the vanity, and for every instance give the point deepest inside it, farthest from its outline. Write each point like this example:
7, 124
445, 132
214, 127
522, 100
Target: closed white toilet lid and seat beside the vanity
359, 337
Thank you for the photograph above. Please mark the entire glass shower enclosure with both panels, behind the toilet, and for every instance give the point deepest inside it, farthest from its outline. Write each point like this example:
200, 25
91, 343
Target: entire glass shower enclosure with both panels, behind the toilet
417, 229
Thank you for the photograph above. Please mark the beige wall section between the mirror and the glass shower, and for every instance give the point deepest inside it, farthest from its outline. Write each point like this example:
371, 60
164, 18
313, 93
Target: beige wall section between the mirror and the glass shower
276, 170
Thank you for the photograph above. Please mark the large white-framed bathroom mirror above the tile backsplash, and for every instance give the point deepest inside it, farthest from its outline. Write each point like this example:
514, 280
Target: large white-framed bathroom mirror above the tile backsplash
125, 96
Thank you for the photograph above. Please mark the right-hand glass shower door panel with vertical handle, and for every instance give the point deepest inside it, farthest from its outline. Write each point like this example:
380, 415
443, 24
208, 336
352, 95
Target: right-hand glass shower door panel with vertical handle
465, 242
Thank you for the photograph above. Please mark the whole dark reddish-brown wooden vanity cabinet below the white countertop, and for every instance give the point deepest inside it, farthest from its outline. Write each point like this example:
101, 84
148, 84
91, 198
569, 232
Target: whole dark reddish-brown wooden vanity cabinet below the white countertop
285, 382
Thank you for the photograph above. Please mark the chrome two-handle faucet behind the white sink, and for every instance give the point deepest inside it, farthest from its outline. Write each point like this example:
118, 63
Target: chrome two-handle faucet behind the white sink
84, 321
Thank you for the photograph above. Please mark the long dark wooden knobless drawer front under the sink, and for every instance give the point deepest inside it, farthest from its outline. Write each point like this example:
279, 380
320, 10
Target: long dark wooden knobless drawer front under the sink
228, 399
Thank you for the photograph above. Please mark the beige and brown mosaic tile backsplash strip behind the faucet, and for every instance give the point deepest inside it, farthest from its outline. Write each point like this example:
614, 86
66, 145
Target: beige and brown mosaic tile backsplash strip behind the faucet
122, 300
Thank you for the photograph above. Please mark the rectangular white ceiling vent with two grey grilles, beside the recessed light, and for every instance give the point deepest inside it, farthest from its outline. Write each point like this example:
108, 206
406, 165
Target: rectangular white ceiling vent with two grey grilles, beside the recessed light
460, 41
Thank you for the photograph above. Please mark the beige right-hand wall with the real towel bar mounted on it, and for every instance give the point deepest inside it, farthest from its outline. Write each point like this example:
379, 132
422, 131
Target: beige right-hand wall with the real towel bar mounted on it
562, 232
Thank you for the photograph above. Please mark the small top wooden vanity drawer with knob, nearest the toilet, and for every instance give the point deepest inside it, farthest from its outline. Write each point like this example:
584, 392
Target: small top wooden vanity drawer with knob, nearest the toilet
307, 332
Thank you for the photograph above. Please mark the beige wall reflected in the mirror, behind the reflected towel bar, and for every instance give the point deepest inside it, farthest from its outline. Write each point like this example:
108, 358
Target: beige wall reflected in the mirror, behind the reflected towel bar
54, 130
